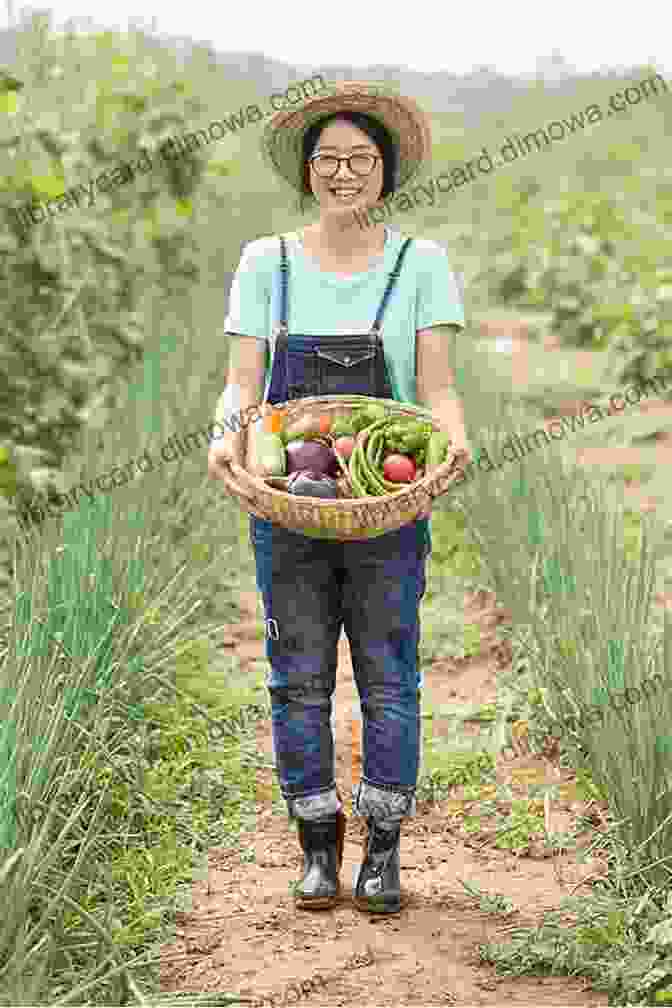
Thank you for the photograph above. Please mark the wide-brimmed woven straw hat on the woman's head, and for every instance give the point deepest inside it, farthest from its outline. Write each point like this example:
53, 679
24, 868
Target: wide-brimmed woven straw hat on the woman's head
284, 136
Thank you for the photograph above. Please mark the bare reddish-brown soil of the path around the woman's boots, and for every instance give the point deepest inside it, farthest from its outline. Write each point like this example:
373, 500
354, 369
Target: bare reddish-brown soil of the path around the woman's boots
244, 936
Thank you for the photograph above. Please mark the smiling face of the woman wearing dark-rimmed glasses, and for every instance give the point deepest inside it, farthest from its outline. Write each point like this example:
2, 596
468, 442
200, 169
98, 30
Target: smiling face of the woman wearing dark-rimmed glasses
347, 190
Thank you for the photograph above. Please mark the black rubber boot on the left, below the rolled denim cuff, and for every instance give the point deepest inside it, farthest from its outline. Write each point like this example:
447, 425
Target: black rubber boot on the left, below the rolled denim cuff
322, 842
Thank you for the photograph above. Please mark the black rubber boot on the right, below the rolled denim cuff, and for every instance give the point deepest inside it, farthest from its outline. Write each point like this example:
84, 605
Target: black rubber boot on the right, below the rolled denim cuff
378, 888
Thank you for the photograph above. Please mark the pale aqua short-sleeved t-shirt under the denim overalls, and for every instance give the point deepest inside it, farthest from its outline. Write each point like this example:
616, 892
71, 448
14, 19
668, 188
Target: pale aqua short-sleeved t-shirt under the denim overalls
323, 304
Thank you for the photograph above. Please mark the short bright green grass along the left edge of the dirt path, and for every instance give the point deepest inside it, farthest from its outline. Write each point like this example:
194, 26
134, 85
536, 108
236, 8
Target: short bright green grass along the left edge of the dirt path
198, 791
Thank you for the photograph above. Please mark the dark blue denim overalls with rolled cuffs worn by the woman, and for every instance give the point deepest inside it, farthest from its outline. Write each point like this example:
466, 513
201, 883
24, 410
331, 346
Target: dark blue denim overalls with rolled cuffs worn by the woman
311, 588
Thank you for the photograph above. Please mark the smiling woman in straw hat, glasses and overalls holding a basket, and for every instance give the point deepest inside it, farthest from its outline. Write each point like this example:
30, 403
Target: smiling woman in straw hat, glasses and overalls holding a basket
349, 151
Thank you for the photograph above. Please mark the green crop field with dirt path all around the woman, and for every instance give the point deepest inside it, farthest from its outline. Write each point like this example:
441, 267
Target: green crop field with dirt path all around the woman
147, 855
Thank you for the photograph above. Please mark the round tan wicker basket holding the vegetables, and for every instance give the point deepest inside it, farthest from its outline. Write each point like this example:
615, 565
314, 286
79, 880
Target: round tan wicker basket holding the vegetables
344, 520
